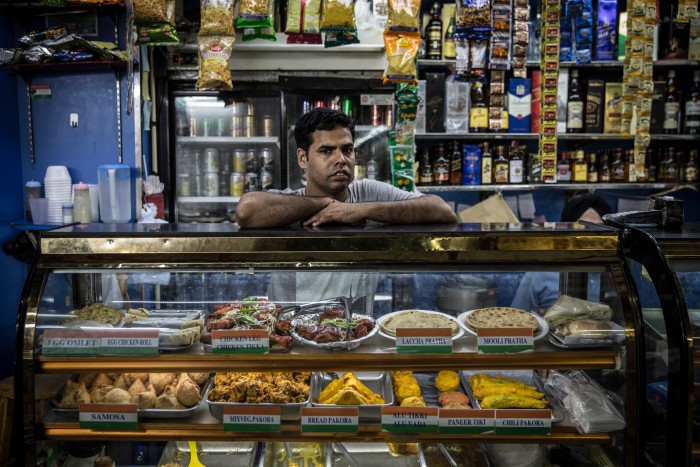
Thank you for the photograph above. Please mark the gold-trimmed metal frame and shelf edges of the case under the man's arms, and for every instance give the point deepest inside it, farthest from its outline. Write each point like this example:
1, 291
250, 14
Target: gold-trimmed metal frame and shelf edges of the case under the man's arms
449, 247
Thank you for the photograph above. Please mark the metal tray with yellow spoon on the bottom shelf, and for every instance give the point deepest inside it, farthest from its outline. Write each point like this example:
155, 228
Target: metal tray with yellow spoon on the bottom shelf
211, 453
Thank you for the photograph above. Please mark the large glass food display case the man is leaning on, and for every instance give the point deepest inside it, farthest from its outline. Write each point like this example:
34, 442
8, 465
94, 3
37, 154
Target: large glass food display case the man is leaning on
111, 311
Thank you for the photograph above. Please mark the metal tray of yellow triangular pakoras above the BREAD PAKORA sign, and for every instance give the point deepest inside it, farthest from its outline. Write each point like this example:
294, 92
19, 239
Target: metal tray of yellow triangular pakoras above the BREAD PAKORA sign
378, 382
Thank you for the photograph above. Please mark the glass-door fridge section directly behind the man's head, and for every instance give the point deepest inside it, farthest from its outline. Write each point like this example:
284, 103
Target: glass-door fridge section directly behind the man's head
369, 102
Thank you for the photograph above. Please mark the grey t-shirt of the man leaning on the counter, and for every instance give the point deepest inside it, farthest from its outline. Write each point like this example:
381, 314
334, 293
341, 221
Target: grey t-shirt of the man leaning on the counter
304, 287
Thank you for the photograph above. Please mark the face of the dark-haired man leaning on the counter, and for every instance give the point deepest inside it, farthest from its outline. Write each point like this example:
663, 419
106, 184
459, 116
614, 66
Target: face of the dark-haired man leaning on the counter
330, 163
